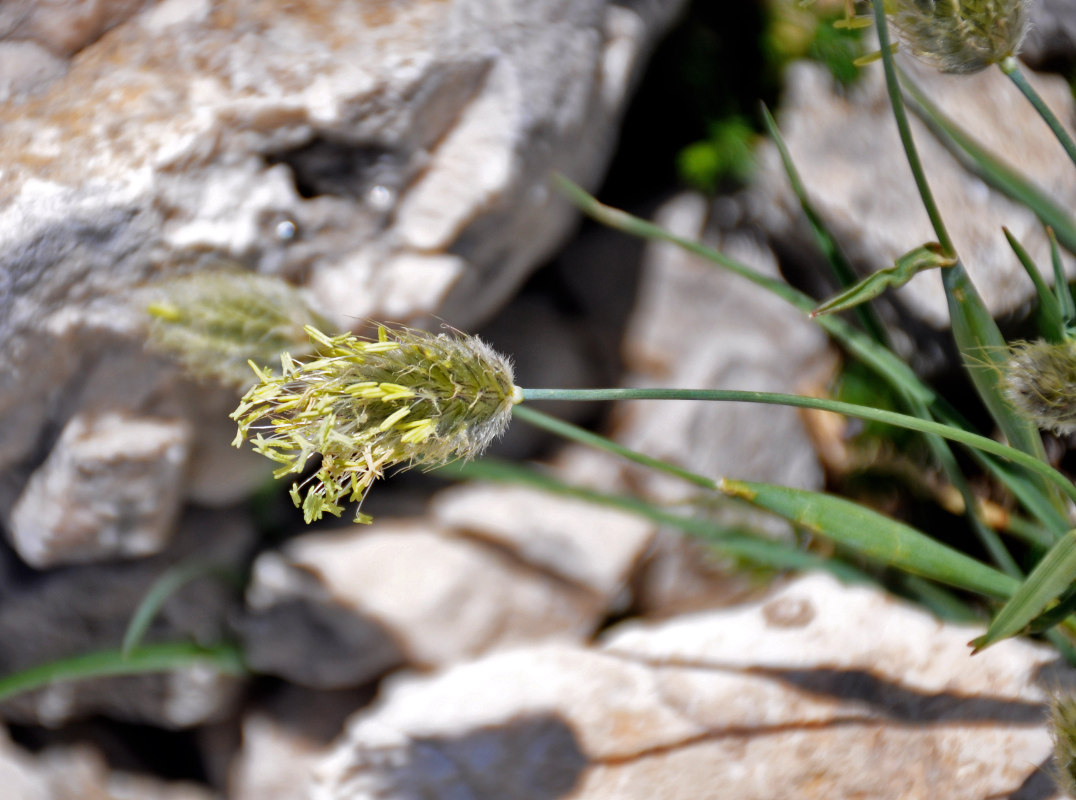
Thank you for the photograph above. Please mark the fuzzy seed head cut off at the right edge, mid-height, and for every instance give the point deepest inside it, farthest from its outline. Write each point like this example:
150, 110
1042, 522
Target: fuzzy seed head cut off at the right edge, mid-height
1040, 382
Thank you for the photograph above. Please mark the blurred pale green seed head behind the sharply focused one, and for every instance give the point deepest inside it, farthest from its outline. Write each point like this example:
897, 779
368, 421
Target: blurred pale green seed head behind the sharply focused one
216, 321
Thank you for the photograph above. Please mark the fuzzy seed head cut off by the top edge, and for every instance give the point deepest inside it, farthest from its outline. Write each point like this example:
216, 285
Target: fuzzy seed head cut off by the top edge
961, 36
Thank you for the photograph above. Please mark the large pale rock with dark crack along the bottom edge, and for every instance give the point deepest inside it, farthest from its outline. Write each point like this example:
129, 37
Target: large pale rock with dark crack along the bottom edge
817, 692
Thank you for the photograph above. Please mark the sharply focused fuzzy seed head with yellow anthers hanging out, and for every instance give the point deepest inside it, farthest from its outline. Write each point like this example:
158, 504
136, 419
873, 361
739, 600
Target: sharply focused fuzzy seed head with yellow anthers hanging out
407, 399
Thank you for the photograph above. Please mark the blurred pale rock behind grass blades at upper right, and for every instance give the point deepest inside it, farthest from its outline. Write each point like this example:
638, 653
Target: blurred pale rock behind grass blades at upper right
847, 151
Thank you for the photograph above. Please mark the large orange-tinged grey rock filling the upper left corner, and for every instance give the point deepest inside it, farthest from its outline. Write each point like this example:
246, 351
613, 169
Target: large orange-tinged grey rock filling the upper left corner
391, 158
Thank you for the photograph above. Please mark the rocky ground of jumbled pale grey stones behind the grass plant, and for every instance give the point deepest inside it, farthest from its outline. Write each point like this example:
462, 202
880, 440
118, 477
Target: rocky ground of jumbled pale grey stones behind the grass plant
479, 641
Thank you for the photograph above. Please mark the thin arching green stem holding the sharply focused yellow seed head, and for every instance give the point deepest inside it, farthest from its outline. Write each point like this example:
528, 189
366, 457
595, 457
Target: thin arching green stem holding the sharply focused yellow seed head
866, 413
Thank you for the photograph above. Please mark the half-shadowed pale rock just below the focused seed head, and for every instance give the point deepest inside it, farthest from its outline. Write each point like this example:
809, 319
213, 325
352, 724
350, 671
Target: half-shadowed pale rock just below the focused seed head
339, 610
